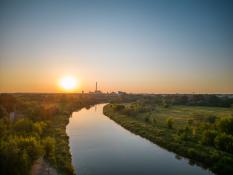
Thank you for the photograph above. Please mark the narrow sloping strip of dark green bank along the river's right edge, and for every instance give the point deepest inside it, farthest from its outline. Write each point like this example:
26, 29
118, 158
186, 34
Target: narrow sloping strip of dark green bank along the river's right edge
217, 161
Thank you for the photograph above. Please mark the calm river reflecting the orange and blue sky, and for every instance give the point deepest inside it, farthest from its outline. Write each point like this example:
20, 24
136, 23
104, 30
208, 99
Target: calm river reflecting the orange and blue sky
99, 146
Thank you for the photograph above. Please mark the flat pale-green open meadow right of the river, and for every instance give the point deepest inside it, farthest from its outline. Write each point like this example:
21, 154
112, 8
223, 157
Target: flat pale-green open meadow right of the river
182, 114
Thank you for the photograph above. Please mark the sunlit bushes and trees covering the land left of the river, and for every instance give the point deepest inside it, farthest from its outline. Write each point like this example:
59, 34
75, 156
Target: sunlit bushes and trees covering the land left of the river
38, 129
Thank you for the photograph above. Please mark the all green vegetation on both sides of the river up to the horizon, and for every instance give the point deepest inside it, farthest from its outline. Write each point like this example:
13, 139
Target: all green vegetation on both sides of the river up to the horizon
195, 126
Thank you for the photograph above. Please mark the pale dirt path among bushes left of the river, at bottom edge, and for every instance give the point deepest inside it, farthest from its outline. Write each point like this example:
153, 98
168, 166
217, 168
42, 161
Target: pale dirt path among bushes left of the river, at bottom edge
41, 167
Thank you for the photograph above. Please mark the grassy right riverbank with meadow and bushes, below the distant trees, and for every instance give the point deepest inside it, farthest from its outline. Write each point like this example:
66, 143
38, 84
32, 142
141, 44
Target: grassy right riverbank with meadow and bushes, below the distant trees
185, 135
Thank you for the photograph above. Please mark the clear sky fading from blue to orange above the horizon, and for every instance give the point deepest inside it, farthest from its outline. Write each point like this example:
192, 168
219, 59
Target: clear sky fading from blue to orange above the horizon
139, 46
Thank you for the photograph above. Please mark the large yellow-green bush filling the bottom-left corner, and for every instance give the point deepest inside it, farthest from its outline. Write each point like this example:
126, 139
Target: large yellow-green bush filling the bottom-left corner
17, 154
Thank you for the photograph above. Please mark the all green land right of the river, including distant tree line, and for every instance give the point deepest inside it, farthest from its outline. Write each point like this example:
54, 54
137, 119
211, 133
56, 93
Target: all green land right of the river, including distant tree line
204, 134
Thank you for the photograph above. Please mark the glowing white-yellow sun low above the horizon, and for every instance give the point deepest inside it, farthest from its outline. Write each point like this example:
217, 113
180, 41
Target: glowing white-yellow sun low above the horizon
68, 83
